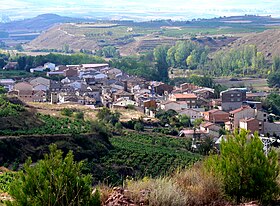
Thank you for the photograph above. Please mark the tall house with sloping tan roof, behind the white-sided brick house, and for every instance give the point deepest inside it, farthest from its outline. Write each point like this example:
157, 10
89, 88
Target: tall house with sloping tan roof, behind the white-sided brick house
236, 115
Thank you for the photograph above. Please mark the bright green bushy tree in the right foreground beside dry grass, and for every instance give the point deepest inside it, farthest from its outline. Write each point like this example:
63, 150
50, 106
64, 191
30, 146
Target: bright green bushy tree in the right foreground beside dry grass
244, 169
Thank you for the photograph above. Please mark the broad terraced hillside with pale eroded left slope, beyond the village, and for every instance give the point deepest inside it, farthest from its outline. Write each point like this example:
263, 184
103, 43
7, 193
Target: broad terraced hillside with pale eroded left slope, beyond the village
93, 36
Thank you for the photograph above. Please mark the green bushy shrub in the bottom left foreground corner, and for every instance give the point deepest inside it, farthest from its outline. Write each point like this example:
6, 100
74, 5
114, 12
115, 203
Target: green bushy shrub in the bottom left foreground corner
53, 181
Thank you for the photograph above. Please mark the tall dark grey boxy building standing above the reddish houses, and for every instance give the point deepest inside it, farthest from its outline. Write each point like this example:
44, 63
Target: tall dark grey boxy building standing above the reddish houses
233, 98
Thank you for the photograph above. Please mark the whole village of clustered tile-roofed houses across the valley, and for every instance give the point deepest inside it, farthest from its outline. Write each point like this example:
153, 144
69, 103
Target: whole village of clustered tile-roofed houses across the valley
97, 85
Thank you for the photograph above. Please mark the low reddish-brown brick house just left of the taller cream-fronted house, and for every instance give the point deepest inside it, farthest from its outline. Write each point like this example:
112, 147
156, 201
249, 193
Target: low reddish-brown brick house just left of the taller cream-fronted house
216, 116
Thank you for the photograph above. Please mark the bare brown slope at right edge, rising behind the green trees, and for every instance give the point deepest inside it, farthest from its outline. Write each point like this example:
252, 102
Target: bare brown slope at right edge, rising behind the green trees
267, 42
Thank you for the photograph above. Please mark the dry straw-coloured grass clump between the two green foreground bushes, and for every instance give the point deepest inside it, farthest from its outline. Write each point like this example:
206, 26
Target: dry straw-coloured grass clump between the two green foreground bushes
192, 187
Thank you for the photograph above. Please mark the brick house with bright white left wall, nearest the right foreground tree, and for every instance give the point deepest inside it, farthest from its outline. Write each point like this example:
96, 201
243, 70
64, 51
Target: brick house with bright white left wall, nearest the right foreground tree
251, 124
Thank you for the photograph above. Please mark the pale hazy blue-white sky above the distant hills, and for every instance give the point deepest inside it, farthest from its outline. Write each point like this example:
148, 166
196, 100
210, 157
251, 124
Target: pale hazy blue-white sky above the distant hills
141, 9
